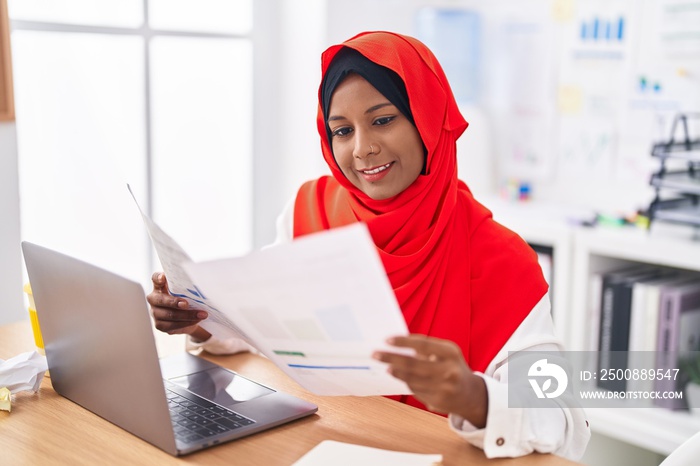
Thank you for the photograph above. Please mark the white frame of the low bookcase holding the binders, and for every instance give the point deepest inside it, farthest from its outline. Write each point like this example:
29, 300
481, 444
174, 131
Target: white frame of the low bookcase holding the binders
581, 251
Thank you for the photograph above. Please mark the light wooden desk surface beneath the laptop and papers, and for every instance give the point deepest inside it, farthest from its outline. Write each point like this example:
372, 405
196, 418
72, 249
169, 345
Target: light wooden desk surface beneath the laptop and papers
45, 428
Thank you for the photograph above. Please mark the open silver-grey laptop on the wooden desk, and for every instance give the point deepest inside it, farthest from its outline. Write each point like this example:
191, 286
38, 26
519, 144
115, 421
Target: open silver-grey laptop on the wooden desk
102, 355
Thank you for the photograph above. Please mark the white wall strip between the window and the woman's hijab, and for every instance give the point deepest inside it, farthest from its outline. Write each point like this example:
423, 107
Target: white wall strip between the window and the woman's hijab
288, 40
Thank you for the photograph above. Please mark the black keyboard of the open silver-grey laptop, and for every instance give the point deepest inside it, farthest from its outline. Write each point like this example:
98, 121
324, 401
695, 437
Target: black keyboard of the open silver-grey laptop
195, 418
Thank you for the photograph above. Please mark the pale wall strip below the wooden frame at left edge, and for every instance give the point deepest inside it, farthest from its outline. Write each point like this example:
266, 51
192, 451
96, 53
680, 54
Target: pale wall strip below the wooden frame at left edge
11, 297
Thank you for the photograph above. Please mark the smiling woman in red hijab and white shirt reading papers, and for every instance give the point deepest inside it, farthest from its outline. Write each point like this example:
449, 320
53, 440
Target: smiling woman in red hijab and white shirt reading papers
470, 290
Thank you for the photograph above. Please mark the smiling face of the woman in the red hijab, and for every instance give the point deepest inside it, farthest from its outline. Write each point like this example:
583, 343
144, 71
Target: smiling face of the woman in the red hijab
376, 147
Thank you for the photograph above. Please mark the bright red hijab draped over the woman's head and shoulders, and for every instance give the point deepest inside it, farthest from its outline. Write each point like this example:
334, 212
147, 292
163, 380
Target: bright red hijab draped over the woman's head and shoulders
457, 274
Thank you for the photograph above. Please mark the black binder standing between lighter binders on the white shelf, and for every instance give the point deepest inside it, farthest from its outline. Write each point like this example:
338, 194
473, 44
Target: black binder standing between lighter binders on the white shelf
615, 313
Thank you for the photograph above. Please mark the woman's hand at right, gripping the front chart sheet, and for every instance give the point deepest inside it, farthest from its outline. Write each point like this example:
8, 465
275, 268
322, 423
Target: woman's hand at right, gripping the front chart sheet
439, 377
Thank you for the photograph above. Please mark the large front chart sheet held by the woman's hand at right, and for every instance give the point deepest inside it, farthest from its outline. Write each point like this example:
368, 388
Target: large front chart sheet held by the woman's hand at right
318, 307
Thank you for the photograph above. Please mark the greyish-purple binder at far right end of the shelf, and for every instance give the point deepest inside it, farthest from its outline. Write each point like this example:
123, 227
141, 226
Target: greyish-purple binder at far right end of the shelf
678, 334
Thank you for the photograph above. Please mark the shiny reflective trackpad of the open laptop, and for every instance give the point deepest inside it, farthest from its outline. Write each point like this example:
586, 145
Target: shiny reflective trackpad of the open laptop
221, 386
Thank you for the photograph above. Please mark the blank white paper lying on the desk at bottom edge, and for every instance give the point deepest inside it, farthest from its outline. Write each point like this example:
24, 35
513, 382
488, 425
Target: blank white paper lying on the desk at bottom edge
346, 454
